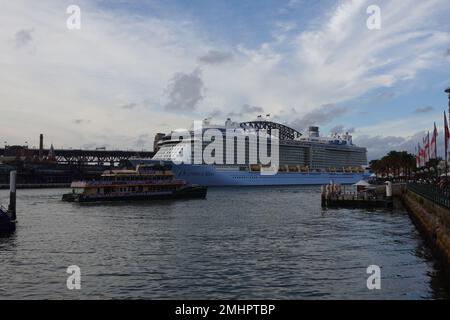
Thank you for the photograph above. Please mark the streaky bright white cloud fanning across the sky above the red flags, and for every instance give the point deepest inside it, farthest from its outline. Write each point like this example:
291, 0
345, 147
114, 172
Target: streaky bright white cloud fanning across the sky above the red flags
352, 60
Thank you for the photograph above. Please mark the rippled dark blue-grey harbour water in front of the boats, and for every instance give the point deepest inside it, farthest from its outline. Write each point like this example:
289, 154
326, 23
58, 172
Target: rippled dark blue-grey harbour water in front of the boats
252, 243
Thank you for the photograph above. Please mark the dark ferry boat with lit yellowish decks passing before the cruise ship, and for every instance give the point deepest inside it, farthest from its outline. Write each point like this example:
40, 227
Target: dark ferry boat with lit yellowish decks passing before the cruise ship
146, 182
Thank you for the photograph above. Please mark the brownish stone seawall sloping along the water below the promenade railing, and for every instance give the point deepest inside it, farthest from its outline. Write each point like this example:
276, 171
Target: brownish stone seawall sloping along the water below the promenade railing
433, 221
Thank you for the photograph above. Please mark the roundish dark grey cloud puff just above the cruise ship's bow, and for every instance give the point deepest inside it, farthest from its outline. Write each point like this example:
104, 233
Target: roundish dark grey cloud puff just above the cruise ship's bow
185, 91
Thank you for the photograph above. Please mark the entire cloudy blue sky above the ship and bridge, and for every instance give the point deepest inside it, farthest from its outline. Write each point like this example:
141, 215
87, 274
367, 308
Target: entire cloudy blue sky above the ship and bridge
136, 68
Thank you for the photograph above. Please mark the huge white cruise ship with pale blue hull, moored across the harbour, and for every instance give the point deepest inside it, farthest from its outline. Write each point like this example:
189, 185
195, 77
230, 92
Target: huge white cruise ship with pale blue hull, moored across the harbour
303, 159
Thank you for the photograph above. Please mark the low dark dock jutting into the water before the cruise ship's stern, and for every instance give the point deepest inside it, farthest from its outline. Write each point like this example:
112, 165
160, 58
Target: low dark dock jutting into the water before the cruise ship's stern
334, 196
